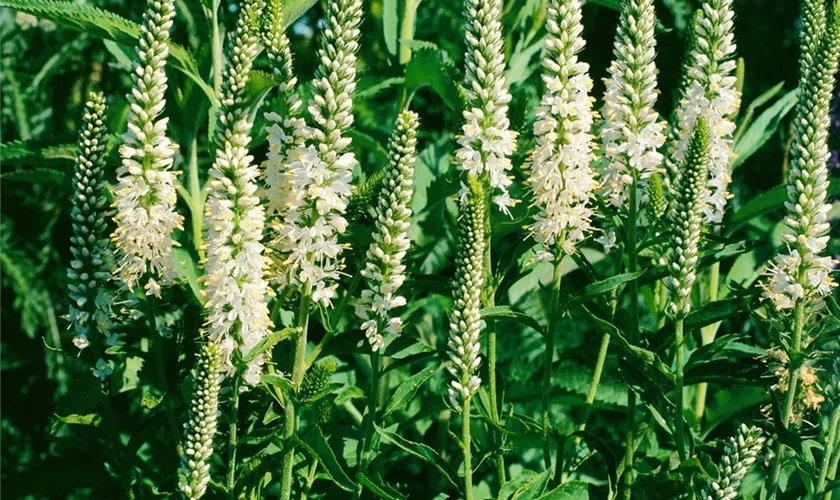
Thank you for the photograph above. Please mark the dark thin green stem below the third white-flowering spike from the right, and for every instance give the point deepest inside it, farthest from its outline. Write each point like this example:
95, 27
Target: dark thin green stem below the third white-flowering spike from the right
632, 264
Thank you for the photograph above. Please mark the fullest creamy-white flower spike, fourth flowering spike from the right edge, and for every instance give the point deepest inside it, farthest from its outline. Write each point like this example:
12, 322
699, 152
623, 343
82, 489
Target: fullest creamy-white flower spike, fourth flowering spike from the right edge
561, 179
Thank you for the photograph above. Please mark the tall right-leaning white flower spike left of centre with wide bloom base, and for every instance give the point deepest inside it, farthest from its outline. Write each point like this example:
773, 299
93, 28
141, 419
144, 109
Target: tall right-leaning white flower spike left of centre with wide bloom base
311, 194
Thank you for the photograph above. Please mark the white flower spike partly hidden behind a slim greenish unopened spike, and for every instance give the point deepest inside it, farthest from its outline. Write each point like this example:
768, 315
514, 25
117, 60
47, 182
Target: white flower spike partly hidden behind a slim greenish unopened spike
710, 93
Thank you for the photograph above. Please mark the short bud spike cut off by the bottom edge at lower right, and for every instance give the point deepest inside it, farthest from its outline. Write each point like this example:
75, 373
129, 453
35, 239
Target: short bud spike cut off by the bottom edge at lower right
740, 453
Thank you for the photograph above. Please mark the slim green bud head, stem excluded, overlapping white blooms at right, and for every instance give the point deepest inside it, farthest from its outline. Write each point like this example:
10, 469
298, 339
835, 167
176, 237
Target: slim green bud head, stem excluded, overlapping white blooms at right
688, 220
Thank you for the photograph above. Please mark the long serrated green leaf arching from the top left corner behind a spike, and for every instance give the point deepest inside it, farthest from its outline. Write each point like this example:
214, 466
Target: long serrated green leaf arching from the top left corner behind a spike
103, 24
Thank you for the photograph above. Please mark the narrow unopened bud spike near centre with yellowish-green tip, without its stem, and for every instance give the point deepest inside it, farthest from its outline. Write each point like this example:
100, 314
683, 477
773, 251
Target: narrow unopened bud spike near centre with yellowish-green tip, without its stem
465, 321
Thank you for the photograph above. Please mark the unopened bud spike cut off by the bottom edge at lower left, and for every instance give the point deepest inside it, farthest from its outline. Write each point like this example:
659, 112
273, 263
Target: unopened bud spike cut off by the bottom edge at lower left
200, 430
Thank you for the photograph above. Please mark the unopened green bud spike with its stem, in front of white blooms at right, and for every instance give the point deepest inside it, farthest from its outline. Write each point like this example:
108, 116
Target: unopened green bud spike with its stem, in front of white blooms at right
684, 254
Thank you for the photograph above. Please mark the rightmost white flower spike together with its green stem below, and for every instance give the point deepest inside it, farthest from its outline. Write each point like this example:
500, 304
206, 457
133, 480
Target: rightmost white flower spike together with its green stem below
798, 280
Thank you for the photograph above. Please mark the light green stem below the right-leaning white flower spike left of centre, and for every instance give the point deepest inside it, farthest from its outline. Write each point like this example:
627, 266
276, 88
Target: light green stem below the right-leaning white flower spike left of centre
291, 419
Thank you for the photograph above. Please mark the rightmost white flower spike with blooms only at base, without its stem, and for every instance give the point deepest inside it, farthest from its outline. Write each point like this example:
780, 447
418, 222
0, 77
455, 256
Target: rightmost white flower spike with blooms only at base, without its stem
802, 273
